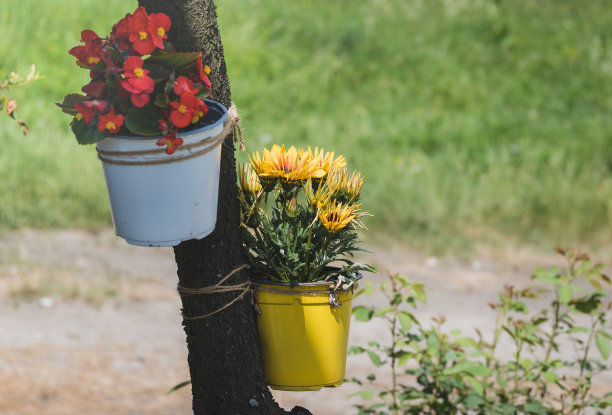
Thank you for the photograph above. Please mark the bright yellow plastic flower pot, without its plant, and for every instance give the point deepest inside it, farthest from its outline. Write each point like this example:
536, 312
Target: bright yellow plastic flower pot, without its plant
303, 338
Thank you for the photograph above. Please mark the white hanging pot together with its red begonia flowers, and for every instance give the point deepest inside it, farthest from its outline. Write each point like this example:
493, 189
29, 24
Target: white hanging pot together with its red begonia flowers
157, 135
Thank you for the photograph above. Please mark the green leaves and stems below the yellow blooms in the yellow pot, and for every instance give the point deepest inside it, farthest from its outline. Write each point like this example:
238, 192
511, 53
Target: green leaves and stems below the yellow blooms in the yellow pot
288, 242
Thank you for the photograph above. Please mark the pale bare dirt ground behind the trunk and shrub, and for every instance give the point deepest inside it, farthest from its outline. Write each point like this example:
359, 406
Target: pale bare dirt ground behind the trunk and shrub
91, 325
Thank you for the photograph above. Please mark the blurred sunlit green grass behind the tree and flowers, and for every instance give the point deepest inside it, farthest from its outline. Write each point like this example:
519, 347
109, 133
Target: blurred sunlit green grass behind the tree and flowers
471, 119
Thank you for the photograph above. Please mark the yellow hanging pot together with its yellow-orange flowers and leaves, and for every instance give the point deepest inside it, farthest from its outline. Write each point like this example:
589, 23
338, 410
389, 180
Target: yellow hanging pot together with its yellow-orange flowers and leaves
300, 213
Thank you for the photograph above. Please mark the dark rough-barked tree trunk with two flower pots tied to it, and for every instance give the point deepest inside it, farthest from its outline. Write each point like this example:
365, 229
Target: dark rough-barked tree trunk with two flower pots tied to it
224, 355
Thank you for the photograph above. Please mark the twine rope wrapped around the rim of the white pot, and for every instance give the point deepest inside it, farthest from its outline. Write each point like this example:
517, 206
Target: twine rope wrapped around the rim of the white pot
231, 124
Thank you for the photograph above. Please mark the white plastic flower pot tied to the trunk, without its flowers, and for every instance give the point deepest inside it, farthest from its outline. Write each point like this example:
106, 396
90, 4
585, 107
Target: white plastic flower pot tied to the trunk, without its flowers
159, 199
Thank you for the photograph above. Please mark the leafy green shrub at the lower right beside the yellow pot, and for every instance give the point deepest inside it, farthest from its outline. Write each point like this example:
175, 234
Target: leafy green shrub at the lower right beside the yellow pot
456, 374
